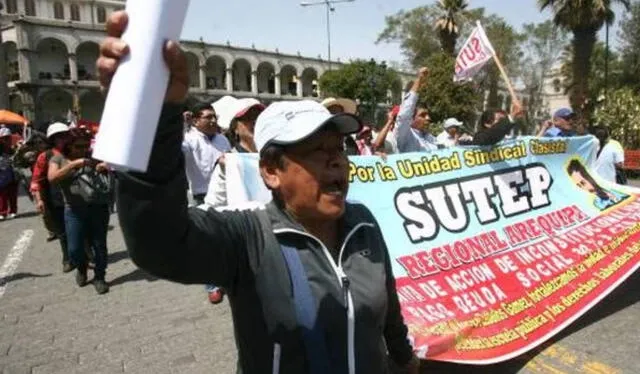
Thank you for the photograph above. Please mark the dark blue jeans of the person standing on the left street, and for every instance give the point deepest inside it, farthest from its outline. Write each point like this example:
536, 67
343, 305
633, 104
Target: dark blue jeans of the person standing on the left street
90, 221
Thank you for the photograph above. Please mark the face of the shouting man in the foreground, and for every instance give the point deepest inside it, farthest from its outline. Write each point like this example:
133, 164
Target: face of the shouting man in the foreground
313, 183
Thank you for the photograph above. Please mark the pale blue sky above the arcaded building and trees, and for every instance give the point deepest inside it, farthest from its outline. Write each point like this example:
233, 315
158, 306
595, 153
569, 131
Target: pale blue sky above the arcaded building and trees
355, 26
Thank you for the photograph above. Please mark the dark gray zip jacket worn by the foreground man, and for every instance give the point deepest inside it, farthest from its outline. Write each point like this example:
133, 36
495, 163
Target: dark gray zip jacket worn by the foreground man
357, 304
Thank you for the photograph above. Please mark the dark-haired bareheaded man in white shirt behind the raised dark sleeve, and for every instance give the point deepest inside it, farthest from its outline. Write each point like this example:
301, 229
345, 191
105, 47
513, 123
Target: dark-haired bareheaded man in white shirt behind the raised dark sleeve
202, 146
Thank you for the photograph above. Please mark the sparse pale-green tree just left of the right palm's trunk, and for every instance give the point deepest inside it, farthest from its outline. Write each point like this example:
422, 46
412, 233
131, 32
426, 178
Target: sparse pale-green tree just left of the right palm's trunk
542, 49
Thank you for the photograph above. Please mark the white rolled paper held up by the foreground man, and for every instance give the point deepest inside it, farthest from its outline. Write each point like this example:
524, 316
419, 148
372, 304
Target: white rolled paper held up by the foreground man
137, 91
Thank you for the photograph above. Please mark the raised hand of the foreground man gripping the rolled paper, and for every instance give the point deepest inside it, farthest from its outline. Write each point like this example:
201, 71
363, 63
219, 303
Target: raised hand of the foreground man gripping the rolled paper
113, 49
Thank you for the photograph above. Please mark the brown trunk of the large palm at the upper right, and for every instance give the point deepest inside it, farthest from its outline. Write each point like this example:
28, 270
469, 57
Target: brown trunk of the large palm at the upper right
583, 44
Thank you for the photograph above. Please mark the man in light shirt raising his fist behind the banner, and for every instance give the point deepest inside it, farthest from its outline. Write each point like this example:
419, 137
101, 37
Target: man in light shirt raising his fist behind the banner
412, 127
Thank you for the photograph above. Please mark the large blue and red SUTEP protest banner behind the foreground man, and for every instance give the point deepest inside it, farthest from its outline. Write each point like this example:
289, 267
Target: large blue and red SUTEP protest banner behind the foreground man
494, 250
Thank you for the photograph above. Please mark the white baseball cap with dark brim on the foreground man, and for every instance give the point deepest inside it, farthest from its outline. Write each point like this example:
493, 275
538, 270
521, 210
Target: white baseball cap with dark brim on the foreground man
290, 122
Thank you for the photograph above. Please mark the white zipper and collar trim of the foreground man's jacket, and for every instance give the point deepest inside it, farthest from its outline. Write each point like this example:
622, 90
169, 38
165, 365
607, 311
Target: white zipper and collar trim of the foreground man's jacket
344, 282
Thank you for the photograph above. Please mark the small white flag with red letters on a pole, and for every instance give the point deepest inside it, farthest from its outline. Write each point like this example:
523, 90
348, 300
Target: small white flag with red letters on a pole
475, 53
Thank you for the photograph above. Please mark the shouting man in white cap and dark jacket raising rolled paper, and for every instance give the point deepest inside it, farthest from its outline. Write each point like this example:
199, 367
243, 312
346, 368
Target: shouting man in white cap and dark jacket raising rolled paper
309, 276
